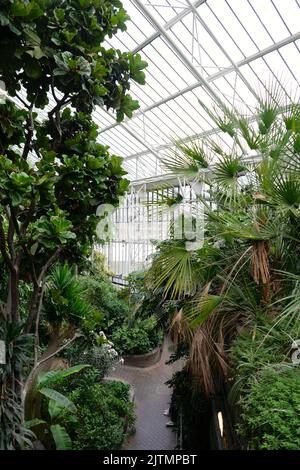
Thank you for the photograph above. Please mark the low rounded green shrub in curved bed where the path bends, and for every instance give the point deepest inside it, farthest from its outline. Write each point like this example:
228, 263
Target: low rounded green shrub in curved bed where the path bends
139, 338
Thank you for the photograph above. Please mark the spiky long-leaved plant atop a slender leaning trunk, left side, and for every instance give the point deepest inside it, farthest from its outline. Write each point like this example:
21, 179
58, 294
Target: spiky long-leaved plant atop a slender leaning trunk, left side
69, 321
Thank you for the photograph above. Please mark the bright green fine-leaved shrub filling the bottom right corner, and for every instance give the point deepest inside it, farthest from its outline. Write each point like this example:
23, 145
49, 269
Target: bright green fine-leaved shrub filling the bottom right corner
271, 410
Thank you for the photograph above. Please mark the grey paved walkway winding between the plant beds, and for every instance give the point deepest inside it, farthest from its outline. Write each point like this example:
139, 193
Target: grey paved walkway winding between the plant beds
152, 397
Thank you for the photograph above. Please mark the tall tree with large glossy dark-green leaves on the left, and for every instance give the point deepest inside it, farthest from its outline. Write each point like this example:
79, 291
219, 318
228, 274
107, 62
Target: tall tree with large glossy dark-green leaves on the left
53, 171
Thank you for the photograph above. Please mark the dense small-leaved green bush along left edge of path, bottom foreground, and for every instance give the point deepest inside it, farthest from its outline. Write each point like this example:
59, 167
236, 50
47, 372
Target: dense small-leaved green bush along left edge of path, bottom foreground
104, 412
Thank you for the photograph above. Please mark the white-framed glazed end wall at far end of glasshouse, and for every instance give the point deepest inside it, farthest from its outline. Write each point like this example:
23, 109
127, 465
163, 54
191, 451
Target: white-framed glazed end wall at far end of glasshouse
144, 218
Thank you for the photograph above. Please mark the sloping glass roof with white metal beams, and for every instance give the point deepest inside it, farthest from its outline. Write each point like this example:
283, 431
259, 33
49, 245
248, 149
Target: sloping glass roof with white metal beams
218, 51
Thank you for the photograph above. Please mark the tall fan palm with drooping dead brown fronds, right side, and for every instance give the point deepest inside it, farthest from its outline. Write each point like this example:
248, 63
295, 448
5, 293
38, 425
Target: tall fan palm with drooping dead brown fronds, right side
251, 232
